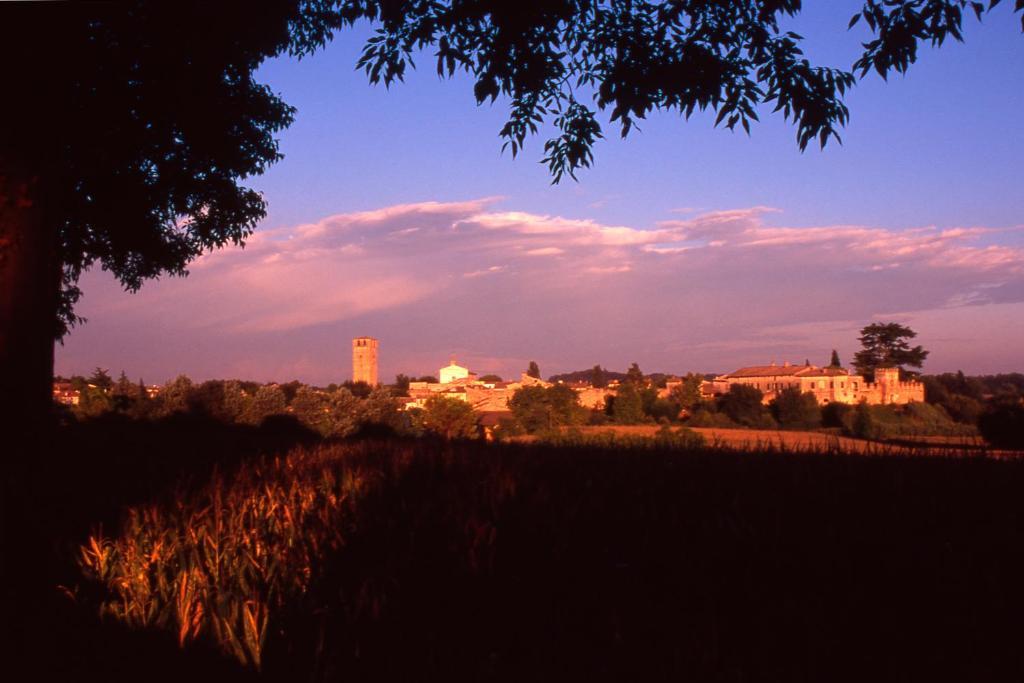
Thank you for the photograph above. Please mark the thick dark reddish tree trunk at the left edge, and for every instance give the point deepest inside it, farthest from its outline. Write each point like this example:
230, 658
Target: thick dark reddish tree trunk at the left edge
30, 286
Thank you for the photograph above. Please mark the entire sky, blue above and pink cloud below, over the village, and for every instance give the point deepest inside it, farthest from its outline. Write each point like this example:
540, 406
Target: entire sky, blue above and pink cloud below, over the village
395, 215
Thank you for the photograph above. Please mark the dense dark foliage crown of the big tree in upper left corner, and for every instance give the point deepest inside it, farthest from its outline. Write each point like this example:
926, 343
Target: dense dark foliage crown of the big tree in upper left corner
137, 176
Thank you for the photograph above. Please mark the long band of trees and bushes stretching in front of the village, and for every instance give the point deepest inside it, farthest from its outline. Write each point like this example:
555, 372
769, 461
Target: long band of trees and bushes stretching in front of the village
956, 406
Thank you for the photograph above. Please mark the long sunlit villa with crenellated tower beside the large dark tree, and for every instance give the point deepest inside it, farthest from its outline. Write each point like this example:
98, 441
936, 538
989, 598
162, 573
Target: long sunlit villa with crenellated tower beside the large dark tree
827, 385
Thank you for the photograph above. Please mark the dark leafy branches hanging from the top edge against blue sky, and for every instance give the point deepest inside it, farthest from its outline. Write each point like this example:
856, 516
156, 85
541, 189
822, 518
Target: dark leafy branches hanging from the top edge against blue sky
563, 62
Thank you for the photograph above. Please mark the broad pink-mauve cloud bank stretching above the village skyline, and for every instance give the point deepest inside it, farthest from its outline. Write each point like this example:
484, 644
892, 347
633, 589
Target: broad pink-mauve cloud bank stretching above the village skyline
720, 289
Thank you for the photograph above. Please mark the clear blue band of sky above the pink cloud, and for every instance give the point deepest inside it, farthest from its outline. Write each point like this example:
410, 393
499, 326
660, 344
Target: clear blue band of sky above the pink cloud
938, 147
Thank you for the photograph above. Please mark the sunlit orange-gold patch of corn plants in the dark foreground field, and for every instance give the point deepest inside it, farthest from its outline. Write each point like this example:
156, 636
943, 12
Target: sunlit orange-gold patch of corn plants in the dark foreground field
222, 562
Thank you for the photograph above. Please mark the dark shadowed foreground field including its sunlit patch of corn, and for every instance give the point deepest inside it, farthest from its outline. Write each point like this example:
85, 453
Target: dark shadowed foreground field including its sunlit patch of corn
392, 560
